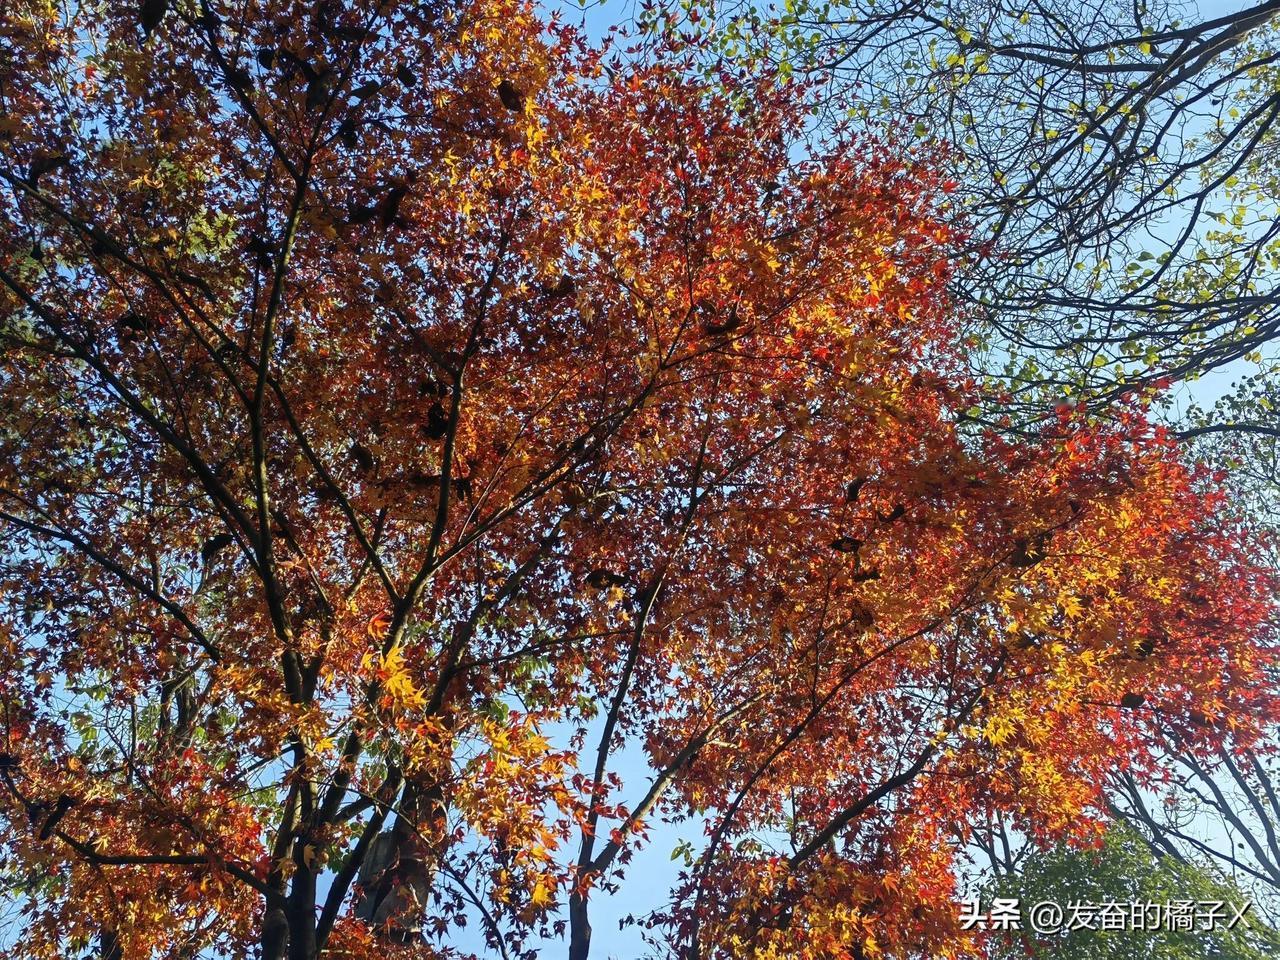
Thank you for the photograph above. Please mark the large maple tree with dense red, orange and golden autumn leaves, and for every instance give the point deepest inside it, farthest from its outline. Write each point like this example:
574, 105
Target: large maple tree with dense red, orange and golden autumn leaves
408, 406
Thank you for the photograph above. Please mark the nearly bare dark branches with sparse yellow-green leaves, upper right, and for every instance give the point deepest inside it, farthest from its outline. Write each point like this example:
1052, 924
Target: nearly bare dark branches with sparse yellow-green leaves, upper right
1117, 161
